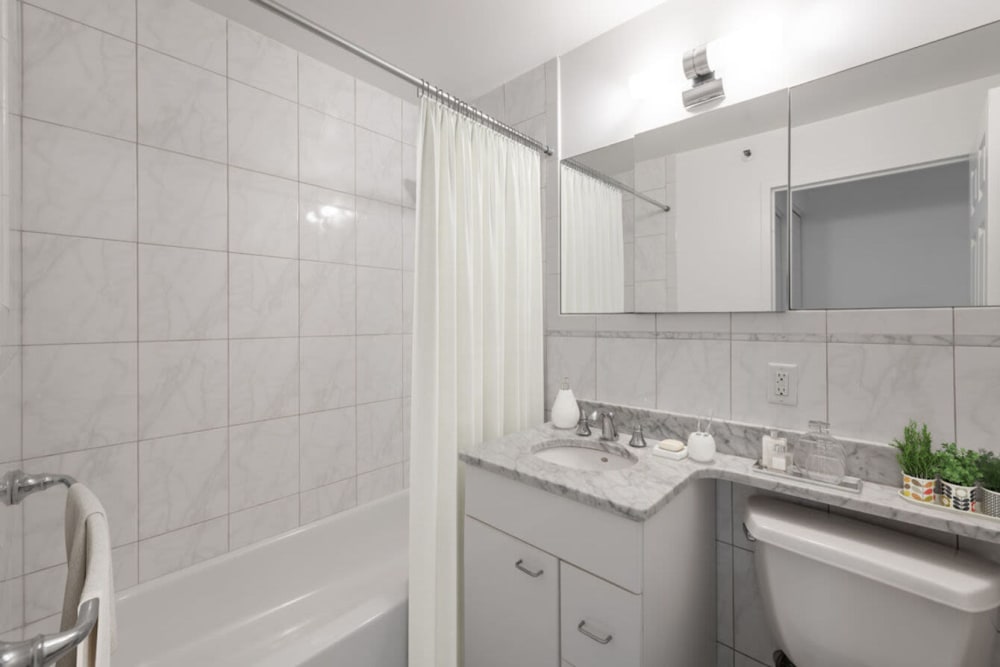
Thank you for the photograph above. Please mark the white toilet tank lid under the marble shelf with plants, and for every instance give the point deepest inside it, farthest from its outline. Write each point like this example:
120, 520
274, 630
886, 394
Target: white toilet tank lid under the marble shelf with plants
930, 570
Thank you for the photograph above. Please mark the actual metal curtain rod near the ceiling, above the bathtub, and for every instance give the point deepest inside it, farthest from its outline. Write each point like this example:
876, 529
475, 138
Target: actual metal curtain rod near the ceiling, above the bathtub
424, 86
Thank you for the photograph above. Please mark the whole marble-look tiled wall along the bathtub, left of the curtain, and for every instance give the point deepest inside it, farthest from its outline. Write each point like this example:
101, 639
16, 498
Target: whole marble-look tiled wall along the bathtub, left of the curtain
215, 268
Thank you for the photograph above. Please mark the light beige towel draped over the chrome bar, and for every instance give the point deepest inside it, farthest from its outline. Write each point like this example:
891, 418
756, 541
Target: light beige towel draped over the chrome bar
88, 554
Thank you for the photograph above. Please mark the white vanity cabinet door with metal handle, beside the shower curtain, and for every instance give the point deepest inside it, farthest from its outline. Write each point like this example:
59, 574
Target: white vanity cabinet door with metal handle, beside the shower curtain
511, 601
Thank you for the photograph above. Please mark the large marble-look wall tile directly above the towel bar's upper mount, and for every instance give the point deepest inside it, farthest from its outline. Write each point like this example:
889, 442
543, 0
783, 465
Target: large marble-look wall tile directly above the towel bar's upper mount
78, 397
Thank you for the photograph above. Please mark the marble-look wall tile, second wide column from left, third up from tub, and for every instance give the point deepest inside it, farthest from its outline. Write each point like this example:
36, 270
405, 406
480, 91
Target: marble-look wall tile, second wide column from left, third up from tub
182, 387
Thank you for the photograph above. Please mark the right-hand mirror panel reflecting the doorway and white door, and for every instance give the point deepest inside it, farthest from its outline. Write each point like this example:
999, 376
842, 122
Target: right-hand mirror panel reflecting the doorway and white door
891, 176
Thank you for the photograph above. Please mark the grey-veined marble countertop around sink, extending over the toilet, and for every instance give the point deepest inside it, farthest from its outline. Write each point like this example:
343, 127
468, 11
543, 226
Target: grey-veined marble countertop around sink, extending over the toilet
639, 491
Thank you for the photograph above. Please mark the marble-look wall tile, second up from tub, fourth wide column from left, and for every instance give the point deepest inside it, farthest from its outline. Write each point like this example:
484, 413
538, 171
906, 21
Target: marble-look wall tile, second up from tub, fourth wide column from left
328, 447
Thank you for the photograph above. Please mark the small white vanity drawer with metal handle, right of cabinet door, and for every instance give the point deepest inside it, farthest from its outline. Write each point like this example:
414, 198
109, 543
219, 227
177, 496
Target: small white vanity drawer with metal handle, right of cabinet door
611, 633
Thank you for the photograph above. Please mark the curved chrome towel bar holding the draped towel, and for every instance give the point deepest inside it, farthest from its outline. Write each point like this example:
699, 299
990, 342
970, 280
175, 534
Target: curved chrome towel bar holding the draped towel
42, 651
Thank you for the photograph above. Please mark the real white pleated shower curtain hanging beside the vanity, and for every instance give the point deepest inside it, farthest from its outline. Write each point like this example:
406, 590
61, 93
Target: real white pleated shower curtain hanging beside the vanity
477, 344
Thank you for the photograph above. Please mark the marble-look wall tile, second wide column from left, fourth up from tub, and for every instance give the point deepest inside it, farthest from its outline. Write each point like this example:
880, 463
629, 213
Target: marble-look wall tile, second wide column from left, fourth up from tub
182, 294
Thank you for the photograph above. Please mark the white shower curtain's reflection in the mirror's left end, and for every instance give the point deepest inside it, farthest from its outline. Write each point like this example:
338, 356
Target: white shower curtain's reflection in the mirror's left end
593, 245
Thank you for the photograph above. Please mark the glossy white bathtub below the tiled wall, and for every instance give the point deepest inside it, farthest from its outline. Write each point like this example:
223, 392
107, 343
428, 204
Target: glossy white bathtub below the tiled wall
330, 594
